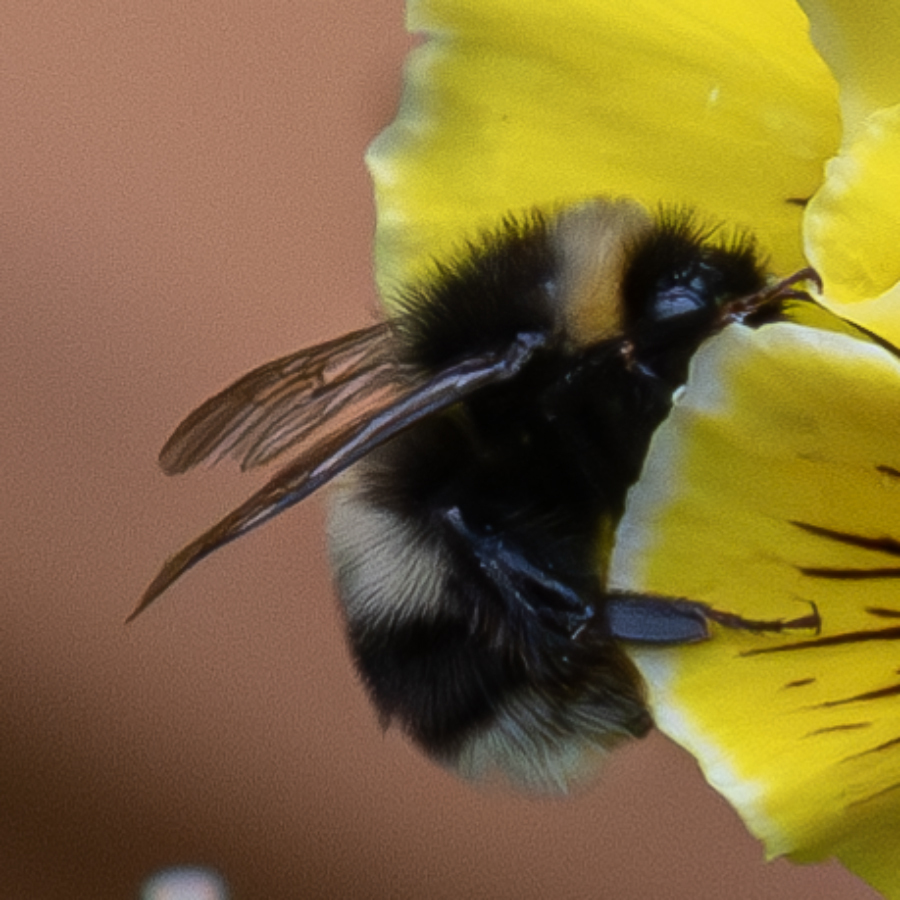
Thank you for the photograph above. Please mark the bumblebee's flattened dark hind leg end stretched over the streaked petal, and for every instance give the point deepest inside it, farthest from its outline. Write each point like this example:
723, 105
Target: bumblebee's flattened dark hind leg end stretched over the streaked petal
651, 619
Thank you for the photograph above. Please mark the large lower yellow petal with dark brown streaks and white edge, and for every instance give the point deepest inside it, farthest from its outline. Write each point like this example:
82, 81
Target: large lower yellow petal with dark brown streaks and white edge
775, 485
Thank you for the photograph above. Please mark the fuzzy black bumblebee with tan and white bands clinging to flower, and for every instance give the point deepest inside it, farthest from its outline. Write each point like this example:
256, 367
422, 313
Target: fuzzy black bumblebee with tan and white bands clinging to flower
486, 435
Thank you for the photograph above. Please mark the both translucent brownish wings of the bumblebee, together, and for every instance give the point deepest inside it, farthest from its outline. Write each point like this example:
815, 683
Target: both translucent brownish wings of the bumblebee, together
373, 396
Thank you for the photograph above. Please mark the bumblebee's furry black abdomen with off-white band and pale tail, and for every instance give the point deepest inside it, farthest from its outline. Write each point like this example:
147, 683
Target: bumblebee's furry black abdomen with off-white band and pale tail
479, 684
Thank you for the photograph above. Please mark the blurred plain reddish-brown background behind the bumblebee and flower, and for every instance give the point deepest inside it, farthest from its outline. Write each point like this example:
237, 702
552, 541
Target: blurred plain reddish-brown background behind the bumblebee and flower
183, 198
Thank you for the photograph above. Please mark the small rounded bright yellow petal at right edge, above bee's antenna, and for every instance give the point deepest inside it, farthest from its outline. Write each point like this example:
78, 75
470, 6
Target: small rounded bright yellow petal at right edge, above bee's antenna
852, 226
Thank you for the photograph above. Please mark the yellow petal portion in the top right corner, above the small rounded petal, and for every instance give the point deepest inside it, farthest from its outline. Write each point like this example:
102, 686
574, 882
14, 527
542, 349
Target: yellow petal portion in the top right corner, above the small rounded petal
859, 42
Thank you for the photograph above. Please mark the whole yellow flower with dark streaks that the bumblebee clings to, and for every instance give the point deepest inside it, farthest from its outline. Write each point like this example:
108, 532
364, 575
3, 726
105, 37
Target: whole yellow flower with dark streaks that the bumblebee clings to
775, 484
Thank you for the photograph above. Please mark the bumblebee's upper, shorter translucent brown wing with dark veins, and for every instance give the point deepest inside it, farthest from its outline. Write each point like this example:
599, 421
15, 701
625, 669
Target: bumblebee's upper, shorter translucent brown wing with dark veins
281, 404
